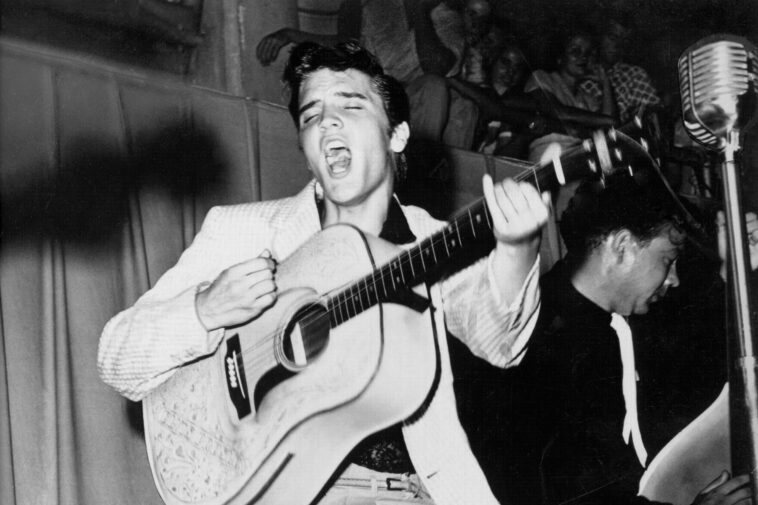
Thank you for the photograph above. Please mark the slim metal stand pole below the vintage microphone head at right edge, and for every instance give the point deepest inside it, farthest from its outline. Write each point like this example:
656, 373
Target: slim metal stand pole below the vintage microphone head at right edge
742, 371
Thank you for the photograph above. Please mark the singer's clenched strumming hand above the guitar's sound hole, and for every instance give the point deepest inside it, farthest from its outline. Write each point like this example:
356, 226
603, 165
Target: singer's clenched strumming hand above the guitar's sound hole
240, 293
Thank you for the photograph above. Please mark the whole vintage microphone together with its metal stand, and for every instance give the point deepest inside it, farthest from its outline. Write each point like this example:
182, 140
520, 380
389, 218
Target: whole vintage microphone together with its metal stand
717, 79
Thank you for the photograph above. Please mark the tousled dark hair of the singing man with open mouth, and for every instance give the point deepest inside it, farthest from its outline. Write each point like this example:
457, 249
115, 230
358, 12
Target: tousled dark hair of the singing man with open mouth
309, 57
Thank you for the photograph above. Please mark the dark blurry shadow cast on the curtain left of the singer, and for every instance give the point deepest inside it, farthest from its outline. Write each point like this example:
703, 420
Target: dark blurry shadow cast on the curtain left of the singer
85, 200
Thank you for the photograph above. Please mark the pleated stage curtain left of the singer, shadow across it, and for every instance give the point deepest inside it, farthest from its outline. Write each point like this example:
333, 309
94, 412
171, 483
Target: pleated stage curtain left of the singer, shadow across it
105, 176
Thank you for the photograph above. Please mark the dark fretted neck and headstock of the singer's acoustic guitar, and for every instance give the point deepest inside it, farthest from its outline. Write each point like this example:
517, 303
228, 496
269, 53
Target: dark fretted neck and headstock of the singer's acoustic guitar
467, 228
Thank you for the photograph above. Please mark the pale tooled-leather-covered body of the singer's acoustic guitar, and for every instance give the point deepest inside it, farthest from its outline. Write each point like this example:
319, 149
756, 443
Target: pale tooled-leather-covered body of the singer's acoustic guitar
373, 370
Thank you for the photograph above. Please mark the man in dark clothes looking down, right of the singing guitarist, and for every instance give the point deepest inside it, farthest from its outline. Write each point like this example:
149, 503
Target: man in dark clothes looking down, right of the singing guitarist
590, 405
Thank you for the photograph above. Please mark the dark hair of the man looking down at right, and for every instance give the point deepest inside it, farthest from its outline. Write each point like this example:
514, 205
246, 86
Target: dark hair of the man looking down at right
594, 212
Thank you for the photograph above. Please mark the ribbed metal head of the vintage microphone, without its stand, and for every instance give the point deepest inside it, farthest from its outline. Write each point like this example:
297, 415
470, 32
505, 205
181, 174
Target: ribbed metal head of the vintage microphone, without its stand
717, 80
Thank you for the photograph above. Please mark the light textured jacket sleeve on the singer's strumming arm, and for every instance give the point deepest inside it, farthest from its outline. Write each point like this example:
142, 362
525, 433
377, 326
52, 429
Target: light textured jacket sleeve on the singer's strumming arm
141, 347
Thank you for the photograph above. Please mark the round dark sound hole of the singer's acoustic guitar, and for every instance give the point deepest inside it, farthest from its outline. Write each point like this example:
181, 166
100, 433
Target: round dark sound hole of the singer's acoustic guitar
306, 336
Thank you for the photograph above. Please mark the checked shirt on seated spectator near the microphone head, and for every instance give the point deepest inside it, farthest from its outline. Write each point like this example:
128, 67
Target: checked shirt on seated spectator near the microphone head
632, 88
